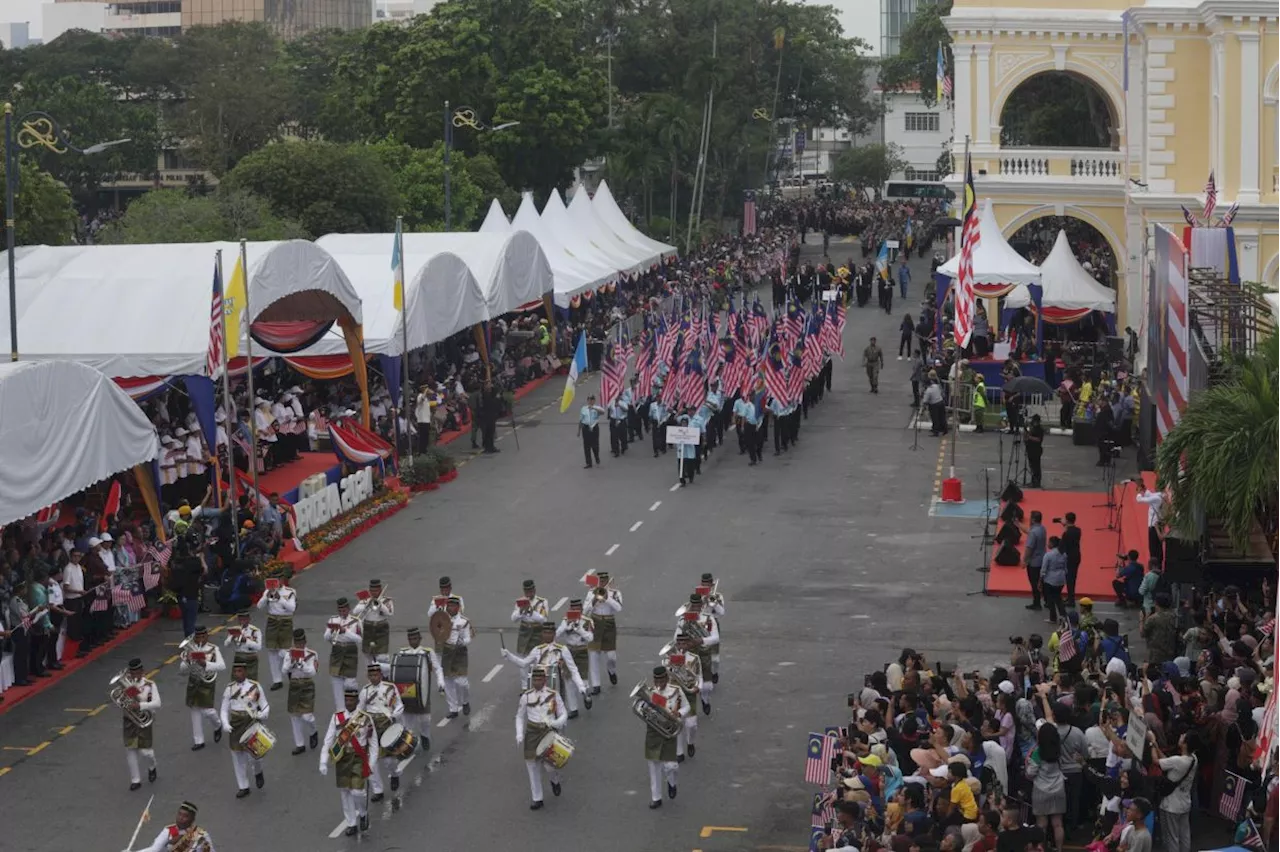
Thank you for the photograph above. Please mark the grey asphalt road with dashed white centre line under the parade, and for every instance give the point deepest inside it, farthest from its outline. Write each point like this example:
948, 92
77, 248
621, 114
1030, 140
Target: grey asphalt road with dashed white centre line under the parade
829, 560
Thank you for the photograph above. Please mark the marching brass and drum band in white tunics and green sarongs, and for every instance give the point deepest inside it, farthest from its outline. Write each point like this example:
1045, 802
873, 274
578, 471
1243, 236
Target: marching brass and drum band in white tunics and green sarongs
378, 729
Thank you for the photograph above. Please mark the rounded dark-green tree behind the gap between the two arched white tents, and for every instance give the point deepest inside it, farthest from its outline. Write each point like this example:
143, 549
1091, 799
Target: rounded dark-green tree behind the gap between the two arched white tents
324, 187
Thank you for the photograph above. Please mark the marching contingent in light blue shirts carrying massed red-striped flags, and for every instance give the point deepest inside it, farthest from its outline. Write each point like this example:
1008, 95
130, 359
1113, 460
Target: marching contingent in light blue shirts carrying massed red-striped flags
708, 373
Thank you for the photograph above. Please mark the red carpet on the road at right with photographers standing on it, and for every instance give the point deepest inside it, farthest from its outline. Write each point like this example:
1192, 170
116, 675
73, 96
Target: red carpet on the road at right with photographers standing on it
1099, 546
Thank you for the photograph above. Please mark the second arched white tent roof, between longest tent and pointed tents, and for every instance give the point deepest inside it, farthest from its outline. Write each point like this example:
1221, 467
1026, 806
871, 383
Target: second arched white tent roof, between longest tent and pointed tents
451, 282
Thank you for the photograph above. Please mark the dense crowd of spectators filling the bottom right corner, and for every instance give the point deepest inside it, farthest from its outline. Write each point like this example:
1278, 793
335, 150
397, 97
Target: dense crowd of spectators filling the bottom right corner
1077, 739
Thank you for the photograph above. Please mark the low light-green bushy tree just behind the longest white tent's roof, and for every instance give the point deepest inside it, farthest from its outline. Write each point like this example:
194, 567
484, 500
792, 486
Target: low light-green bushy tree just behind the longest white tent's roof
176, 217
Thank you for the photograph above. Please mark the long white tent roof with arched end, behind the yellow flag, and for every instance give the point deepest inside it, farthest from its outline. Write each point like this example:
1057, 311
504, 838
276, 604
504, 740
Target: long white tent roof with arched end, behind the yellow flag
135, 312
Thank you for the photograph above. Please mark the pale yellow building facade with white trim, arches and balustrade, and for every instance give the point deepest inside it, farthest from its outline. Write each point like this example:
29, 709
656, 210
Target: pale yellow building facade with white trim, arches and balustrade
1204, 94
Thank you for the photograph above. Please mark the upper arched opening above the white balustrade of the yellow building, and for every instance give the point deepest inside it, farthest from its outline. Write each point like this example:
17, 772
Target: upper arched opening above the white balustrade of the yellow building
1059, 111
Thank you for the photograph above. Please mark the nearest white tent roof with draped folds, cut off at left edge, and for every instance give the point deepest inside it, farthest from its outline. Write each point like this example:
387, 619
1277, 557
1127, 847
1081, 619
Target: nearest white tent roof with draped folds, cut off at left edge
63, 428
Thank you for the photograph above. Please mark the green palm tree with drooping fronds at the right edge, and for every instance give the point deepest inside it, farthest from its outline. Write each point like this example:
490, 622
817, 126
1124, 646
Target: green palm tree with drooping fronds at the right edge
1223, 459
